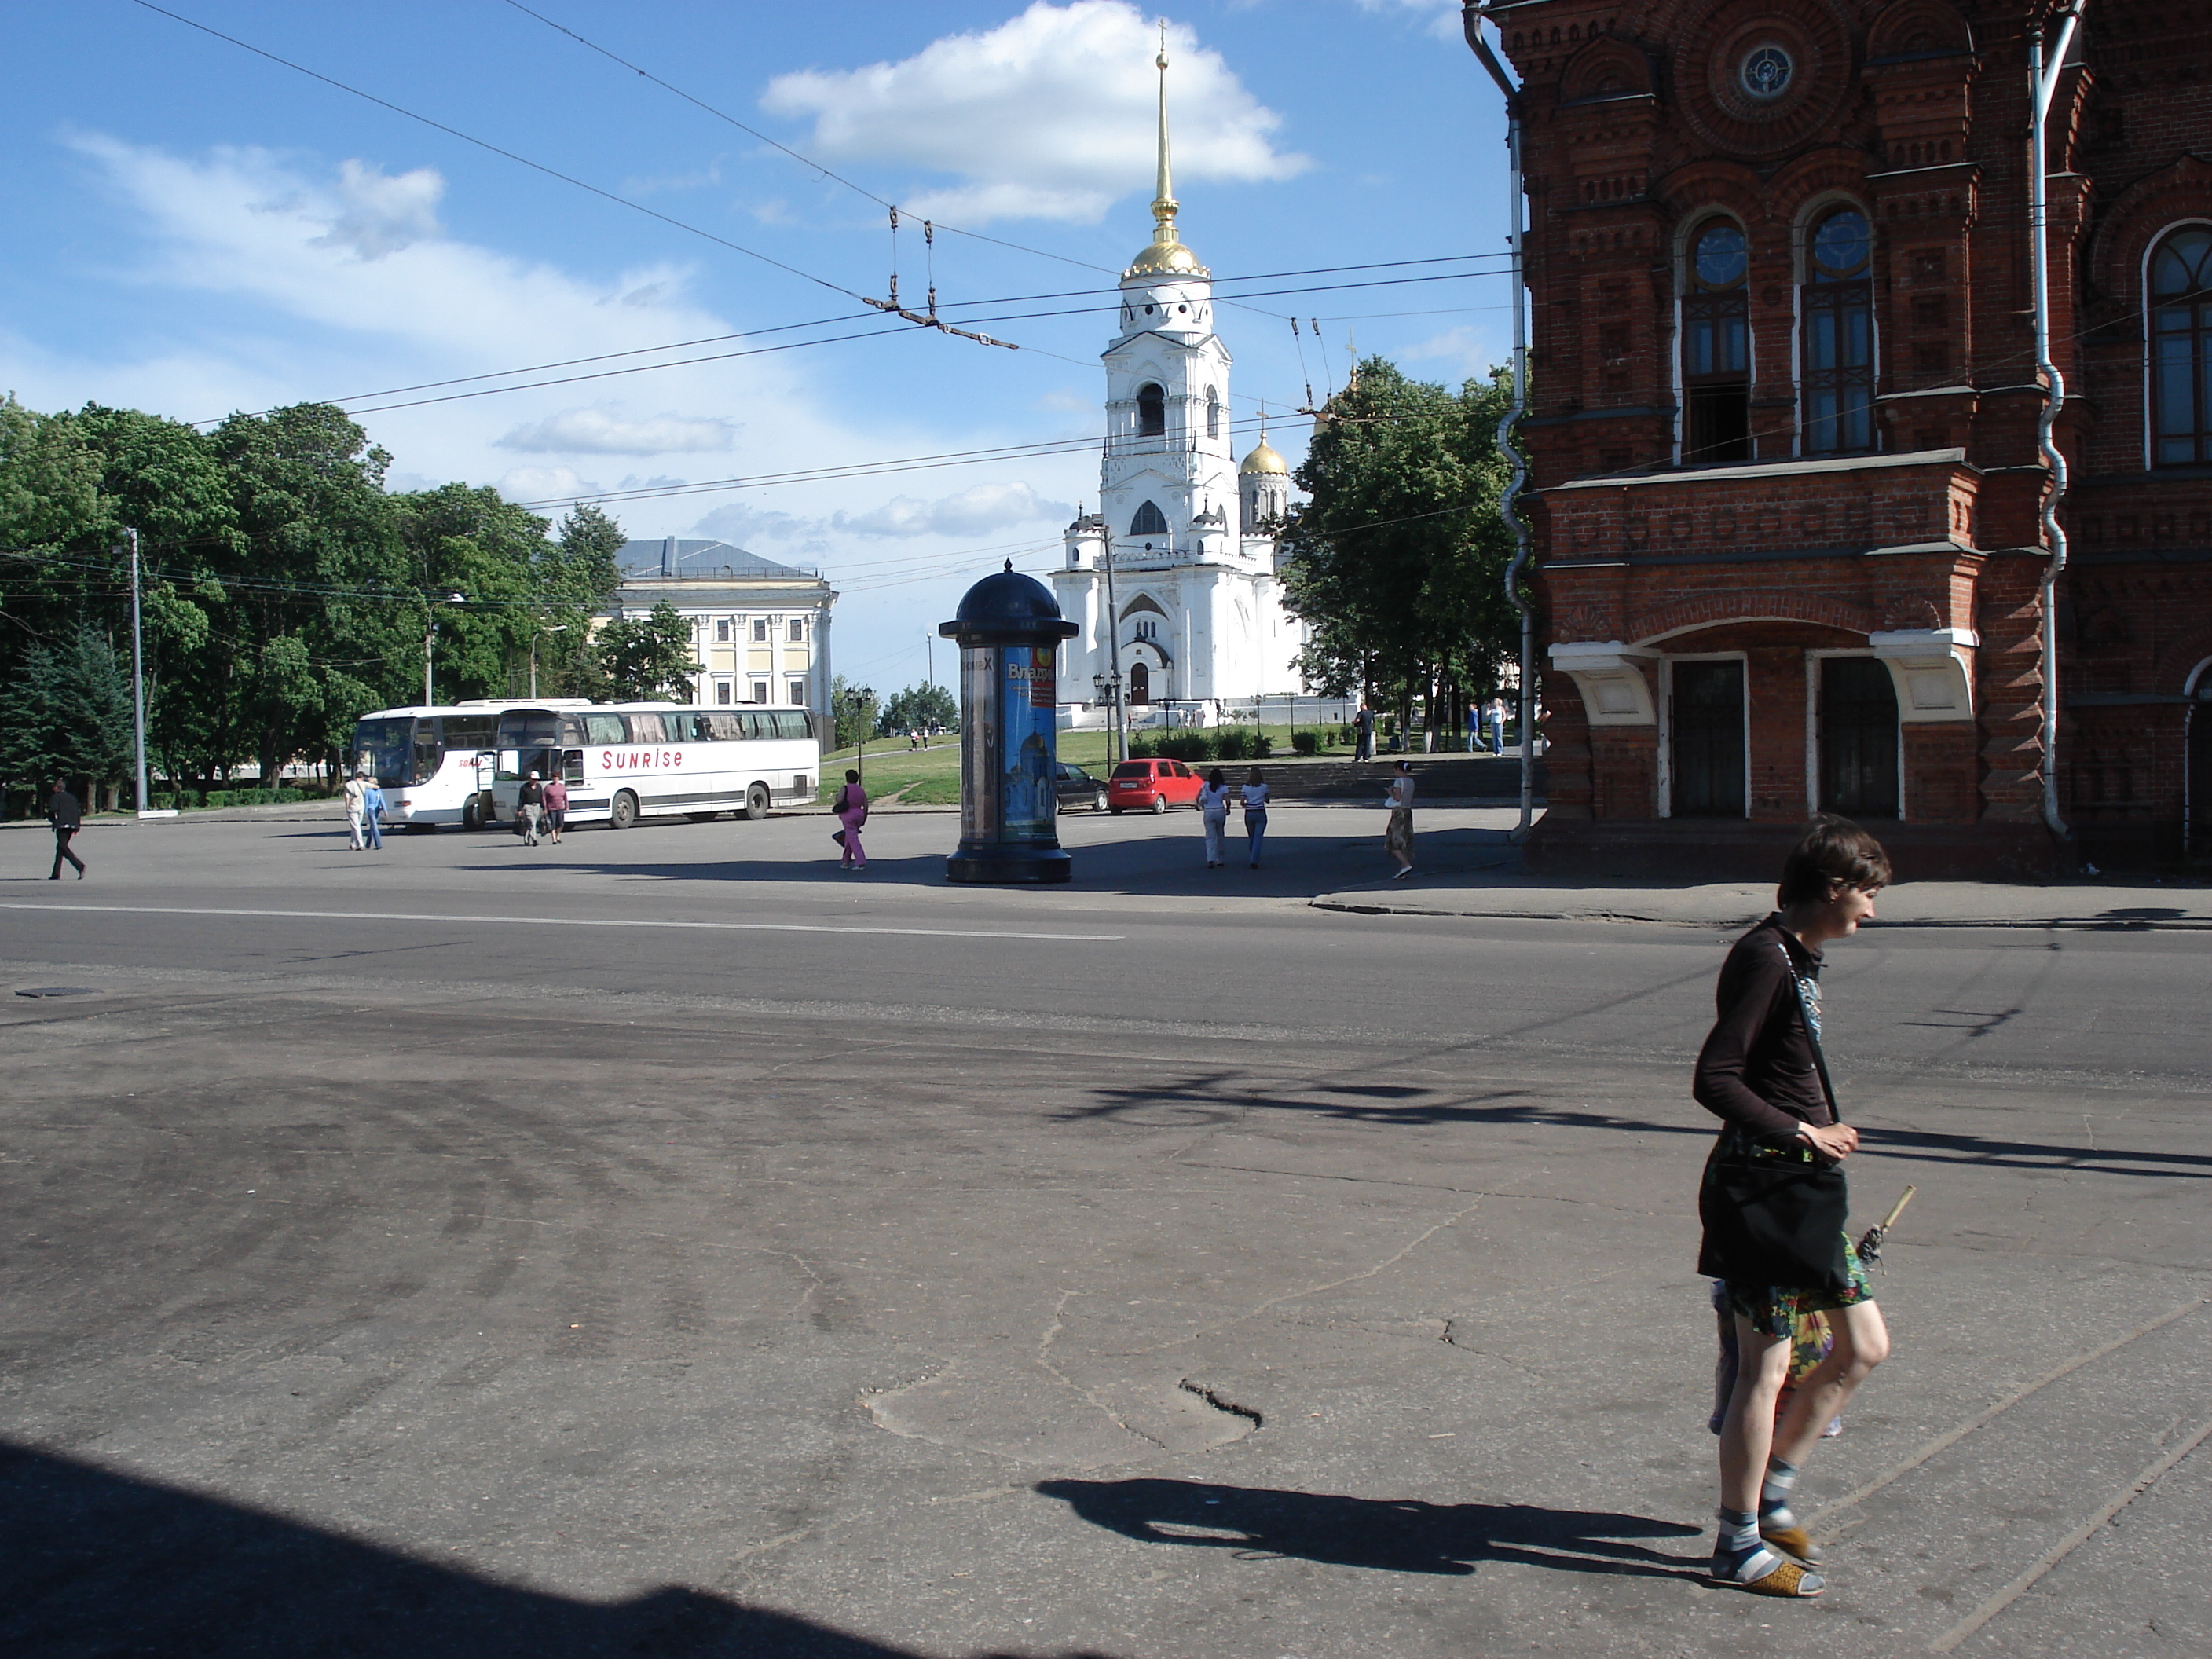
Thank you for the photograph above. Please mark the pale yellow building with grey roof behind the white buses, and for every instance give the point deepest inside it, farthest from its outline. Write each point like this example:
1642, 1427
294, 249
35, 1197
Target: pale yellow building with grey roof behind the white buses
762, 629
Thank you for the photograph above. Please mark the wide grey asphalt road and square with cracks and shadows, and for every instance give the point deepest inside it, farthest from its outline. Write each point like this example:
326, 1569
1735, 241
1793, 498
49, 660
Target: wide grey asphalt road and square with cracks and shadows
667, 1244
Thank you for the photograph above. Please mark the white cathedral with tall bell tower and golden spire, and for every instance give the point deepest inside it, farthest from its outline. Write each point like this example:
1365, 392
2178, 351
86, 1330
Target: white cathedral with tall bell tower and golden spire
1196, 596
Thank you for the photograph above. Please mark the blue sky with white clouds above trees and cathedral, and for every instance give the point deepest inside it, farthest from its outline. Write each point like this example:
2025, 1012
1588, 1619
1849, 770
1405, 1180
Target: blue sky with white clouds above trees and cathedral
196, 231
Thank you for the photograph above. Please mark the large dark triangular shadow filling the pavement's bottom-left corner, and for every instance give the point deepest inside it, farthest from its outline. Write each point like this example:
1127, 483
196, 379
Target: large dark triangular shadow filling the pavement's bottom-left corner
103, 1565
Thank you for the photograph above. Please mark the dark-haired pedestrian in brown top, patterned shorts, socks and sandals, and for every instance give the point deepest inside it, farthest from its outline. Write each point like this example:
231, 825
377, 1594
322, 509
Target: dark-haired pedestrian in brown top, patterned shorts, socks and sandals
1775, 1204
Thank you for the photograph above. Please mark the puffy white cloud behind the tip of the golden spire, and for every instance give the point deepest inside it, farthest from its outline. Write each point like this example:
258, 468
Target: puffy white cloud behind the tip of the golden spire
1076, 83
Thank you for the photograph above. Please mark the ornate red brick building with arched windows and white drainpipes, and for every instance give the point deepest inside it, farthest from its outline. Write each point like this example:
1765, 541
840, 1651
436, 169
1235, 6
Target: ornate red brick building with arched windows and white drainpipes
1784, 430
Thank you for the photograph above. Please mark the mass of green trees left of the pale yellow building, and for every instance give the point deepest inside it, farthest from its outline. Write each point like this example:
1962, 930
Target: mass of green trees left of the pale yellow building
284, 592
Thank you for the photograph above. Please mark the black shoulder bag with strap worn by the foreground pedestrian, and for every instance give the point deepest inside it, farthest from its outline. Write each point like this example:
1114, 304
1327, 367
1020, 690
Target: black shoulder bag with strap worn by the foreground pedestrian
1777, 1215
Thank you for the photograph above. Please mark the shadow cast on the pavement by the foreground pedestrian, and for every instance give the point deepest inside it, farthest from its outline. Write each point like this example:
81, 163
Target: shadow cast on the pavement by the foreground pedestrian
1386, 1534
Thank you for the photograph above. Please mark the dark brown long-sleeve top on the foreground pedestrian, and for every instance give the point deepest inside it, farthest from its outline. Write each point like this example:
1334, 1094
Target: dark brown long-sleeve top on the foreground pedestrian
1757, 1070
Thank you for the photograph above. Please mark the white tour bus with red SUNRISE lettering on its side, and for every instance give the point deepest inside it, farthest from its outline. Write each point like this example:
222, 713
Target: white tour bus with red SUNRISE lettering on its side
629, 762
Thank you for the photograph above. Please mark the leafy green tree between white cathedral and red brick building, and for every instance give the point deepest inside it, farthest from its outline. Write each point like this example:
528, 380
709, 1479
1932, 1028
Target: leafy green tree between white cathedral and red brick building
1397, 563
